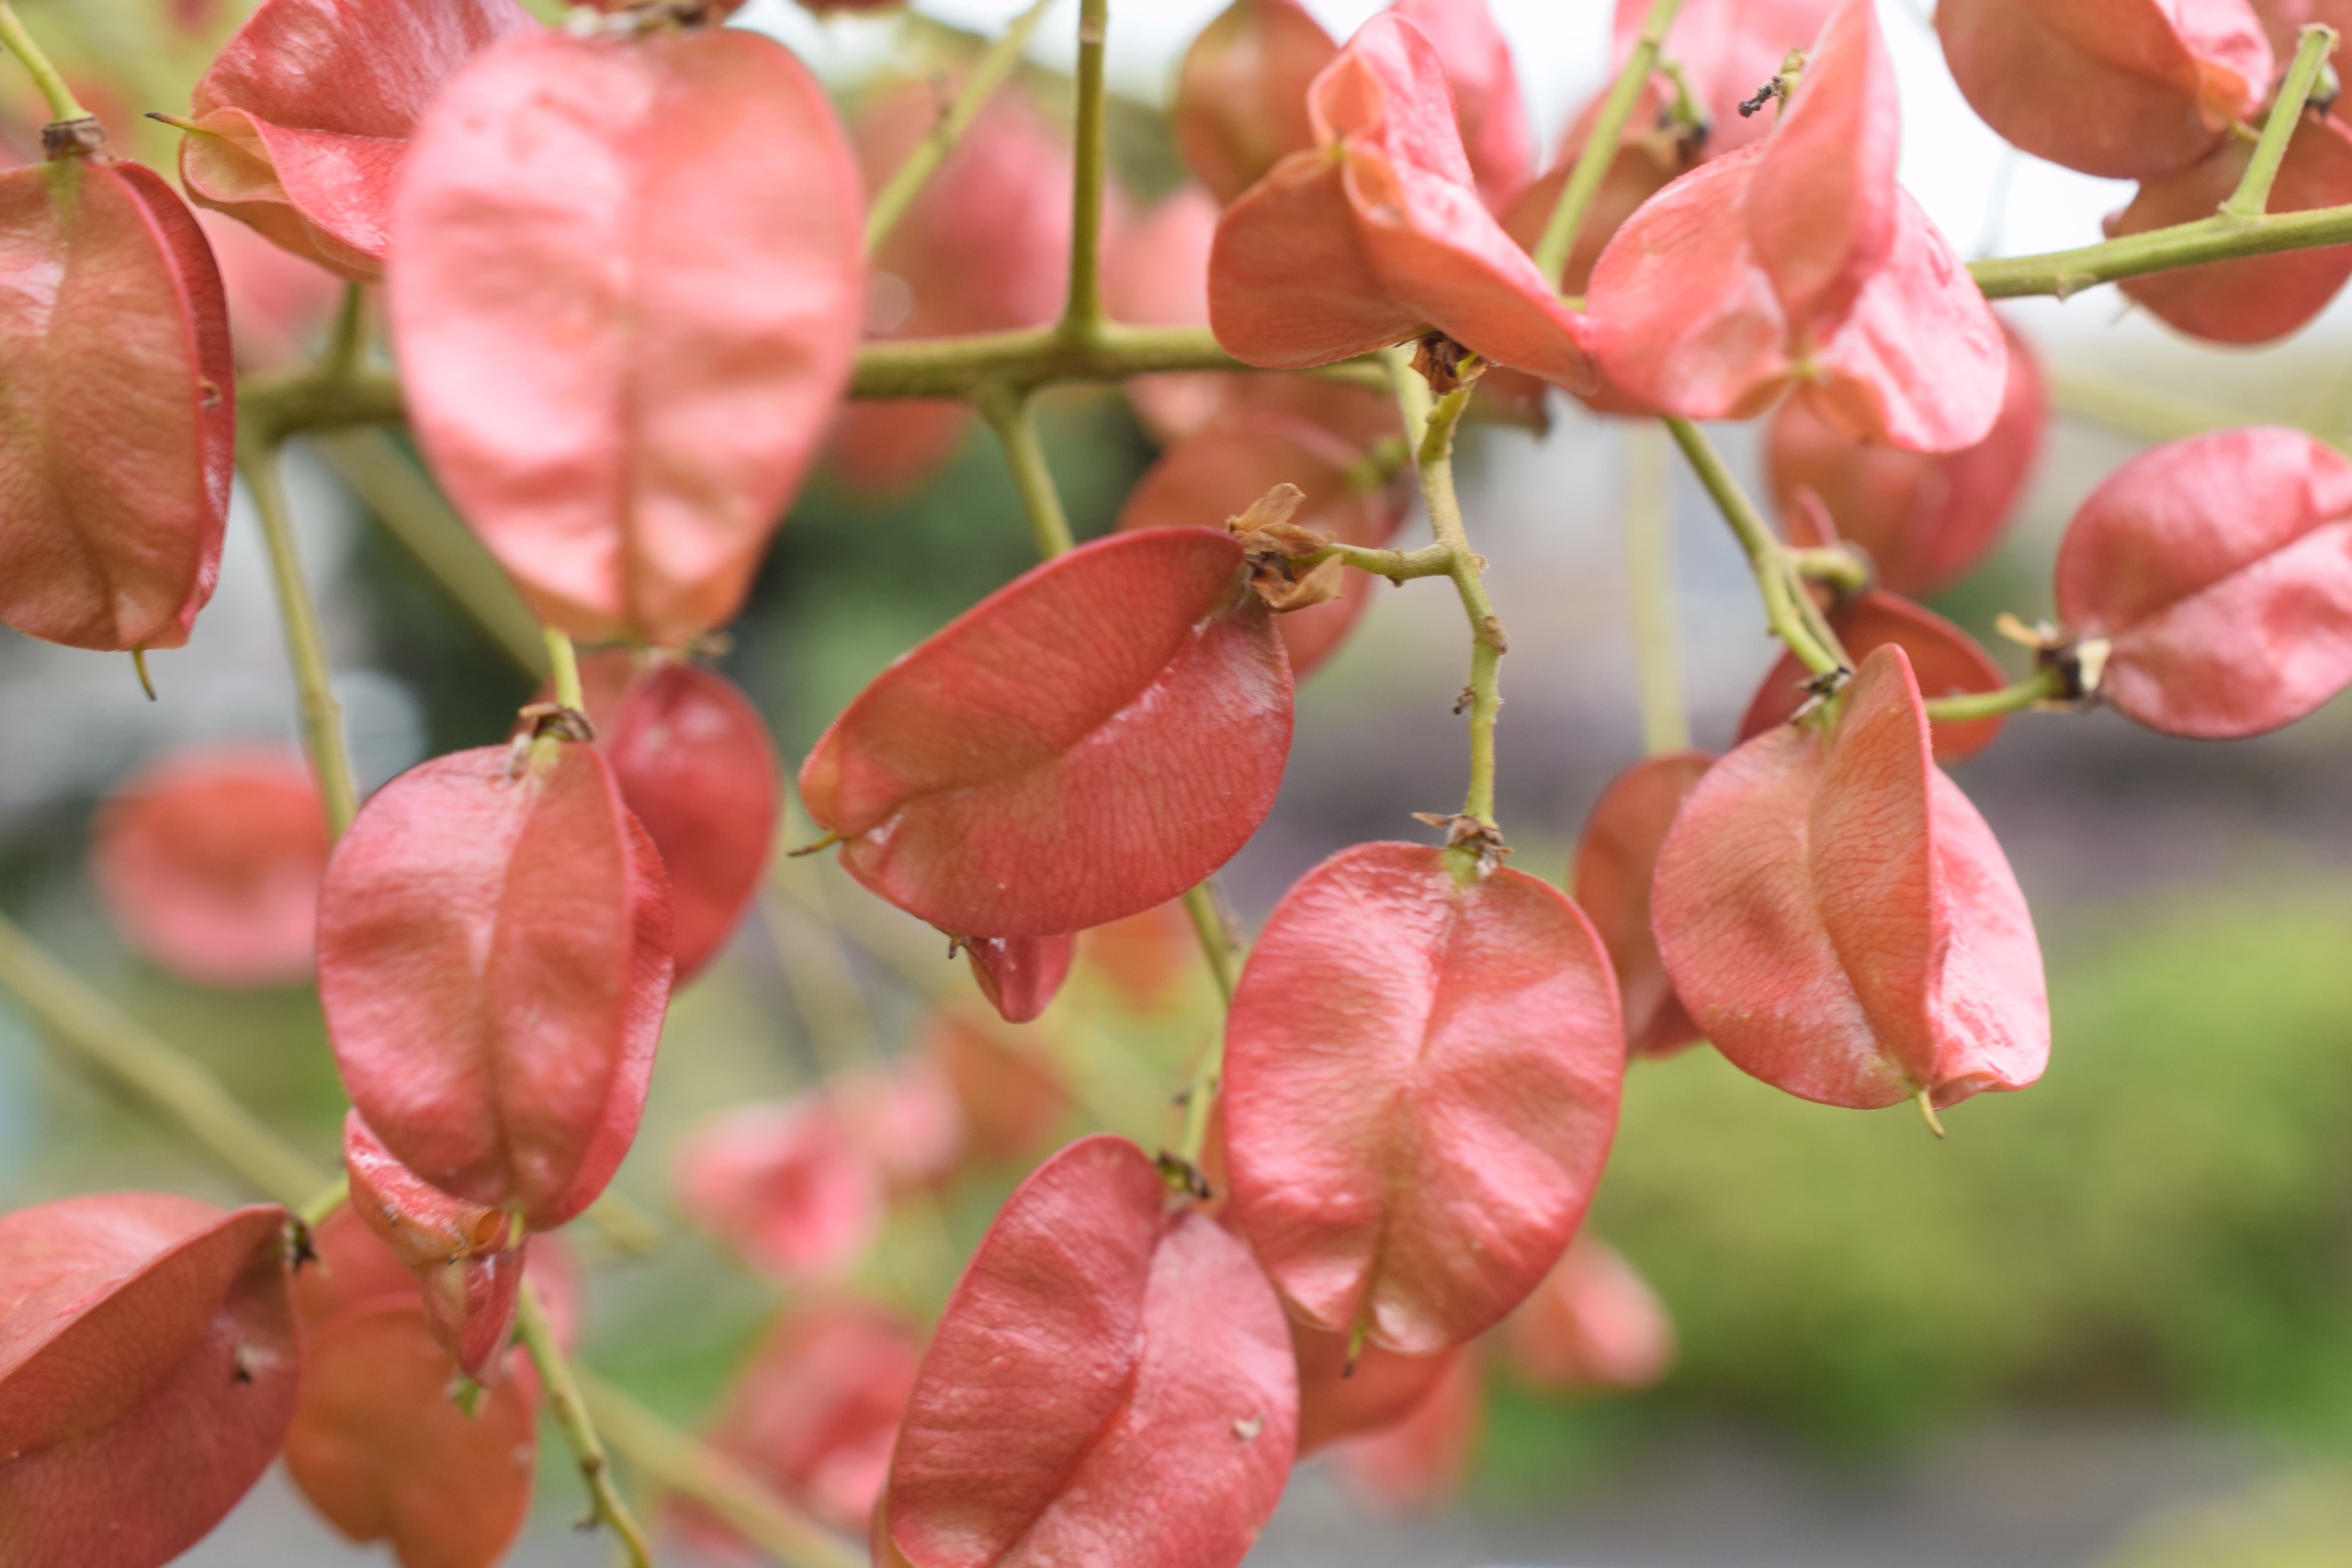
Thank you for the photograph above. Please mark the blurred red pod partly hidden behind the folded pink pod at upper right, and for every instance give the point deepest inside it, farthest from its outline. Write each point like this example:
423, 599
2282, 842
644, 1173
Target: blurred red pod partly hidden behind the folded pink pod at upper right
1925, 518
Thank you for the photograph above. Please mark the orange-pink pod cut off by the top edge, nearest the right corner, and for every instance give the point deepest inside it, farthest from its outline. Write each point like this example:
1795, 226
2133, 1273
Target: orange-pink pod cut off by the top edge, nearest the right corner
2120, 88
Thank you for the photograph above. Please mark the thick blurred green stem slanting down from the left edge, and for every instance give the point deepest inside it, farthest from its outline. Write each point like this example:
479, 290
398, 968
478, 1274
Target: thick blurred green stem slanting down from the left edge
81, 1019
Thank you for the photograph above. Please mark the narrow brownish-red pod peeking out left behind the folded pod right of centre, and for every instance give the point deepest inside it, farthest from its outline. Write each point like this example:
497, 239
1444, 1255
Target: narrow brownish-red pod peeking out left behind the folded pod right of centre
1615, 869
